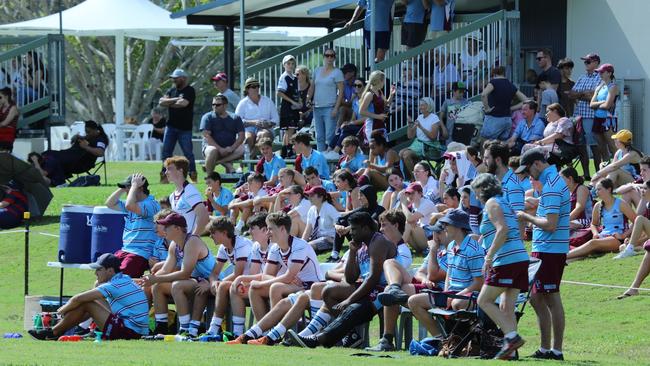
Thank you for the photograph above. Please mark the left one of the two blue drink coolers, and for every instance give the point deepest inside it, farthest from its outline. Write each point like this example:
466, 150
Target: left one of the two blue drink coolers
74, 234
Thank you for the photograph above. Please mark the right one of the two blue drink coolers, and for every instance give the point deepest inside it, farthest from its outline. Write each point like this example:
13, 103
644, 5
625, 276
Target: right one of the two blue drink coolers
107, 229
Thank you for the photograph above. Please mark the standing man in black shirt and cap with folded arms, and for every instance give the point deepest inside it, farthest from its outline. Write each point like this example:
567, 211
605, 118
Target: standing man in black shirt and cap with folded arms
180, 101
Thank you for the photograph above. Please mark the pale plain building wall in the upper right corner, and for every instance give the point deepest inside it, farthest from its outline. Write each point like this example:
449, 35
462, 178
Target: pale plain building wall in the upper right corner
618, 30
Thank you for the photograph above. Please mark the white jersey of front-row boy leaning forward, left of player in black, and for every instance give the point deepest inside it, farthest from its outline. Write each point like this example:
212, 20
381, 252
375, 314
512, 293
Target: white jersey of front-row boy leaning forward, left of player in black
299, 252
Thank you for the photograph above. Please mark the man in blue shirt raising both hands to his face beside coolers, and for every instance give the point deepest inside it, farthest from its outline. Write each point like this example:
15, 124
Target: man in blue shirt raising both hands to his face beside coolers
139, 237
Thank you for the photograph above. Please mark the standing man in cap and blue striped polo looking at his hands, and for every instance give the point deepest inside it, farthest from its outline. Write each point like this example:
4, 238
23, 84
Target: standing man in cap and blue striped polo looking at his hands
550, 245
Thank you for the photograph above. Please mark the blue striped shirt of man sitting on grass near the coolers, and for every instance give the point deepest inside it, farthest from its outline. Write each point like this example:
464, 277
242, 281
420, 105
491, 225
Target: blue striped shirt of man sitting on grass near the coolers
127, 301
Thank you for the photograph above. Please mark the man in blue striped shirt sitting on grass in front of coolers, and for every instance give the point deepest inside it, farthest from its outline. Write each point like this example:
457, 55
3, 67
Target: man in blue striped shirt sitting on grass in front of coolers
118, 305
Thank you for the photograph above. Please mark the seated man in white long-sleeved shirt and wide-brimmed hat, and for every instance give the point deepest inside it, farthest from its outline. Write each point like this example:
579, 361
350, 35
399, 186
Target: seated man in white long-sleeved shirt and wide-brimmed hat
258, 113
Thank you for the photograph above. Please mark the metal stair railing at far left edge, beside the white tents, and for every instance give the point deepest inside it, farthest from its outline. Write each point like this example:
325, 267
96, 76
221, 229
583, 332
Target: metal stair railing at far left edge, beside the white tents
33, 67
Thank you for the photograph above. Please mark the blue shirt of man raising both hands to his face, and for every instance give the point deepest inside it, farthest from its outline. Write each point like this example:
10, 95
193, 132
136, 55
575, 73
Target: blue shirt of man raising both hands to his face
139, 236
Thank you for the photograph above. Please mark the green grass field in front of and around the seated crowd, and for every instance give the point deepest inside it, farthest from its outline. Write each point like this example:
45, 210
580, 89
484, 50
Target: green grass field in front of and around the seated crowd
599, 329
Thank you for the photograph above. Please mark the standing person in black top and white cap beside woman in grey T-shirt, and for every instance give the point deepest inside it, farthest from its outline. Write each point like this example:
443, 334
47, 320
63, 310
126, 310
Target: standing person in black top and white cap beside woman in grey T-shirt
290, 104
